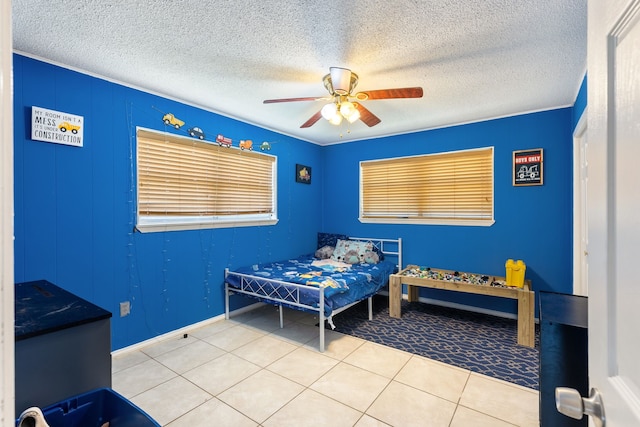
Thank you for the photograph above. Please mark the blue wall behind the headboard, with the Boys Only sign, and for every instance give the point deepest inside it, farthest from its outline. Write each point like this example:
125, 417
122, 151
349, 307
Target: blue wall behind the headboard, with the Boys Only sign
531, 223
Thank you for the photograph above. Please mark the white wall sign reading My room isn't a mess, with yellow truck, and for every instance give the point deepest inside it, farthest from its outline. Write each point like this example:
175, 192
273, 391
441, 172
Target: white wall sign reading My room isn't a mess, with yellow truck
57, 127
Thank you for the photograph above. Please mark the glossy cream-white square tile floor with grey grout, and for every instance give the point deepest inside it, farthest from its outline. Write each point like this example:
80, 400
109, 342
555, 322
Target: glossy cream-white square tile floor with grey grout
248, 372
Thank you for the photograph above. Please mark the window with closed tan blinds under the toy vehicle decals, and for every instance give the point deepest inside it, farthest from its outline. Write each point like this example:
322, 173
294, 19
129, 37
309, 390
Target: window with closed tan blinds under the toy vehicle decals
184, 183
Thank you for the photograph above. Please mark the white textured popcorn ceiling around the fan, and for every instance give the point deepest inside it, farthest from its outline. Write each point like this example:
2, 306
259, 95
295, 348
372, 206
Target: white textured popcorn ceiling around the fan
476, 60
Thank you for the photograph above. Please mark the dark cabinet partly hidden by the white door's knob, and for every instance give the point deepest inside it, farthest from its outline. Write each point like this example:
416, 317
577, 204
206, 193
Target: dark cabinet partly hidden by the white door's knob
563, 353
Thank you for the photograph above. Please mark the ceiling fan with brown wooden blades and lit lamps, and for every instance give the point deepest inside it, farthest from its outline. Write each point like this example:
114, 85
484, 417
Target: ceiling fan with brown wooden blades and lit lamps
344, 103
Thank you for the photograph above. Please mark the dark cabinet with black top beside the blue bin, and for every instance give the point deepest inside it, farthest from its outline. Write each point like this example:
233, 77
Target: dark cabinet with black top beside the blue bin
62, 345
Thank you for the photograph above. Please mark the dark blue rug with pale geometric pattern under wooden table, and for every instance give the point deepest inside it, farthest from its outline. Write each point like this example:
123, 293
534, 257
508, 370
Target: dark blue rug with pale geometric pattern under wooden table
479, 342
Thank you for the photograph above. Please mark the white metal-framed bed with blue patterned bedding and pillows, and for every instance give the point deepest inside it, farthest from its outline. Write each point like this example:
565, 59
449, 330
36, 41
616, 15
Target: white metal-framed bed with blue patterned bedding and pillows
325, 286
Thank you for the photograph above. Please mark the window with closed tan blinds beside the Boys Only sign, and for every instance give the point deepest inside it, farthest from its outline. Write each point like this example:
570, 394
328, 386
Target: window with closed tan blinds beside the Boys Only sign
447, 188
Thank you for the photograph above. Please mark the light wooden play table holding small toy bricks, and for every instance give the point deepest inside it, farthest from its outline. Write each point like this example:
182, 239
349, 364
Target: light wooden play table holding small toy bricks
524, 295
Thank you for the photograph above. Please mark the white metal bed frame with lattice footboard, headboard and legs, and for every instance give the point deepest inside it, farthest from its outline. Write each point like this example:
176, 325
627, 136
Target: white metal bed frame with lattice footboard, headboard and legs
288, 293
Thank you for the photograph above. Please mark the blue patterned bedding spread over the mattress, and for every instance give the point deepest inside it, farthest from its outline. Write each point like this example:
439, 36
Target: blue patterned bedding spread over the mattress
342, 285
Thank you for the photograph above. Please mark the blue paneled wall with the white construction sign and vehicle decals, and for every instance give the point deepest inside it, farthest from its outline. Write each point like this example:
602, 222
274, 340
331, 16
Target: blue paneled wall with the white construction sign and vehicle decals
74, 207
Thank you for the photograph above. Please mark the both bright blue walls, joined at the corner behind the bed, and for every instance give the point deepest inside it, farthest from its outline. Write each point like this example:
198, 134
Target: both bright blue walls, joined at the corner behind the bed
75, 207
